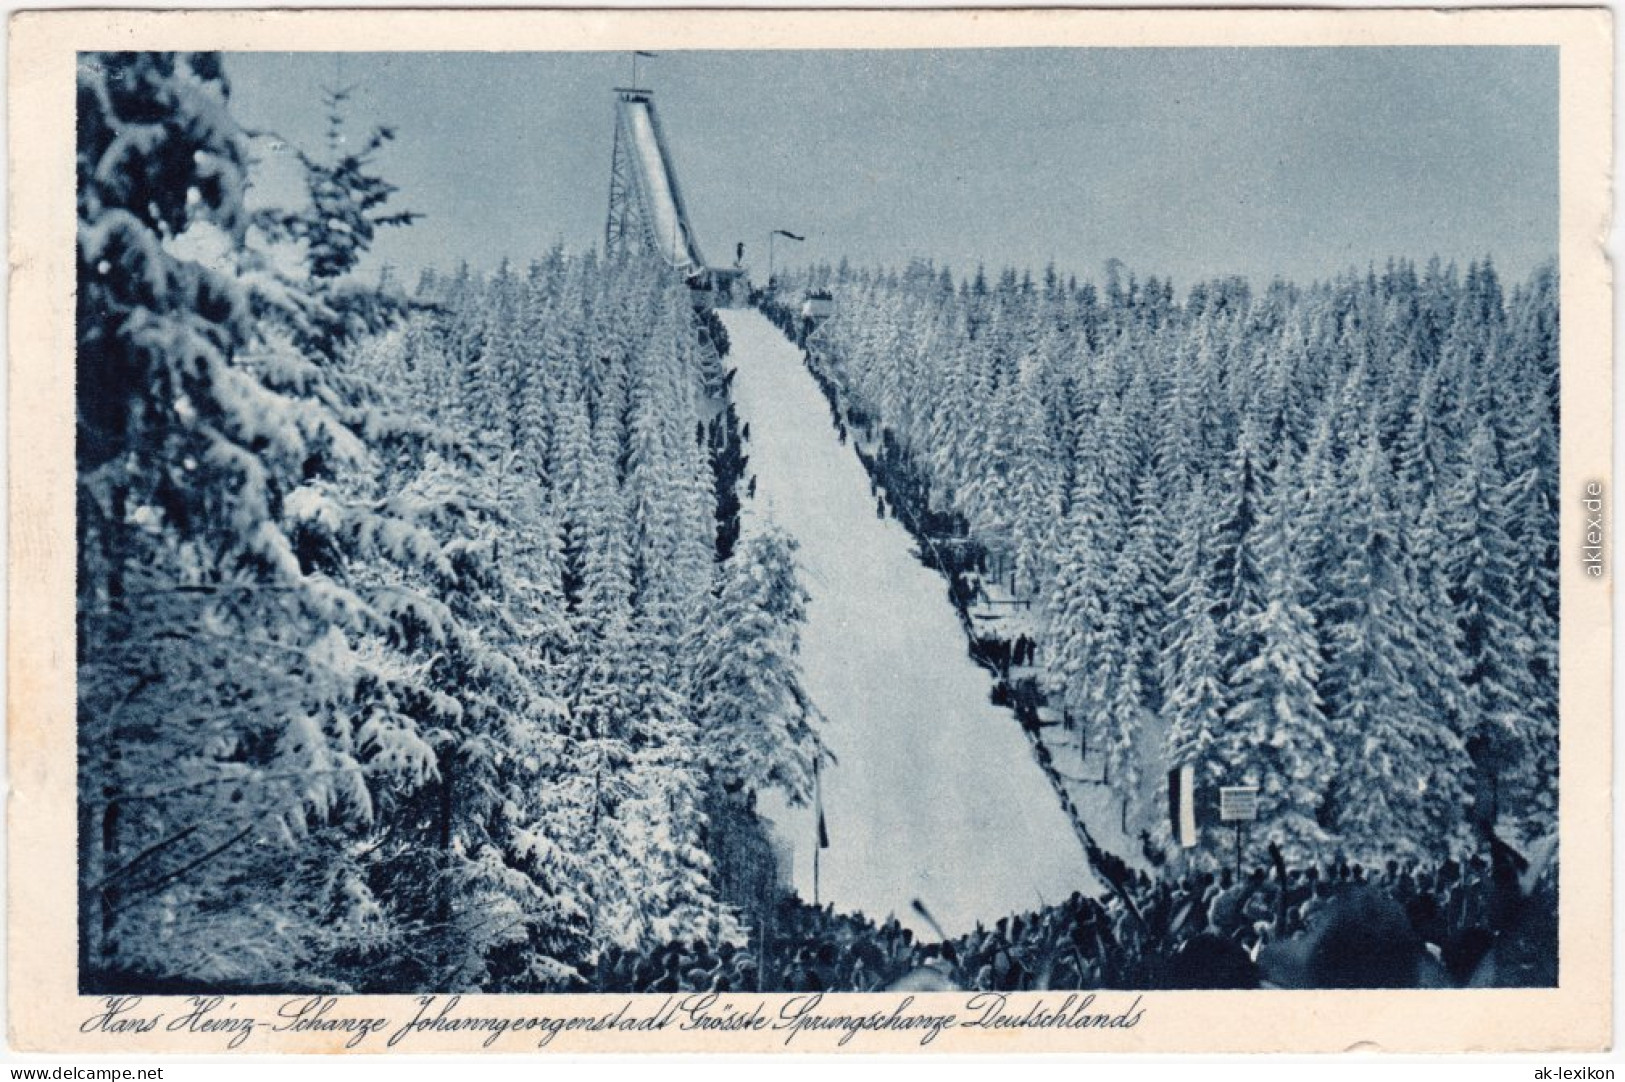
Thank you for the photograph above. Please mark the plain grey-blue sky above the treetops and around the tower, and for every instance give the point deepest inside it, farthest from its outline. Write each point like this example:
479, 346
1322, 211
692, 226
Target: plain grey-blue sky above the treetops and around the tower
1185, 163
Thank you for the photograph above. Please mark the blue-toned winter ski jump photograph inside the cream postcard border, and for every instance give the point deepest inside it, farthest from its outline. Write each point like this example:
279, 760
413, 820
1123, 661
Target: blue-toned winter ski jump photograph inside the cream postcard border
818, 521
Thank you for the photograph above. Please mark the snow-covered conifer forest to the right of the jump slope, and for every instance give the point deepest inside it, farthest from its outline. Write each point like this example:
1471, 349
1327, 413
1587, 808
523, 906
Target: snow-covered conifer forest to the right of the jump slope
1302, 539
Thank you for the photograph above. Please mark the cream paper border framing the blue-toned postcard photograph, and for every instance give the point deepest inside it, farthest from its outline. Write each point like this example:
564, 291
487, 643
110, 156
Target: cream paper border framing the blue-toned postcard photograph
48, 1015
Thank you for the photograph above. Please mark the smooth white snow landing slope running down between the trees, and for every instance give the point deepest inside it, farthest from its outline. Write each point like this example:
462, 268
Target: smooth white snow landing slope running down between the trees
935, 795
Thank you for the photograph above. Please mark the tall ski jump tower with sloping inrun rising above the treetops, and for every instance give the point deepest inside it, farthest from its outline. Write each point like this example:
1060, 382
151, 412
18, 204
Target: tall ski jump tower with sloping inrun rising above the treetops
646, 206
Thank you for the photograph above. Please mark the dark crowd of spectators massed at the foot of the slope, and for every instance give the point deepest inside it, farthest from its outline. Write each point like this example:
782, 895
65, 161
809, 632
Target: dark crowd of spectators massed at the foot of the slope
1483, 922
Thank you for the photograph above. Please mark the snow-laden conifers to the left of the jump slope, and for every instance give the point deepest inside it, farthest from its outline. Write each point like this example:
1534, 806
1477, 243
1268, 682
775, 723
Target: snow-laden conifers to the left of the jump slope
409, 647
